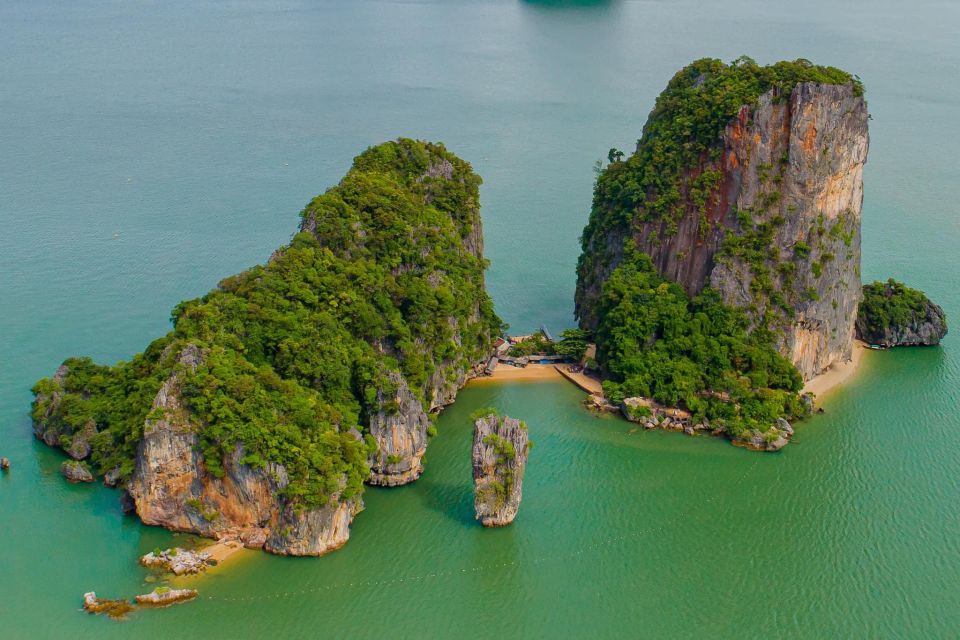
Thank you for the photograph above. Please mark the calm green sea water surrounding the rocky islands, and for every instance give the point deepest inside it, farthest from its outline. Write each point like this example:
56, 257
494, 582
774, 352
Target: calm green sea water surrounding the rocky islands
149, 148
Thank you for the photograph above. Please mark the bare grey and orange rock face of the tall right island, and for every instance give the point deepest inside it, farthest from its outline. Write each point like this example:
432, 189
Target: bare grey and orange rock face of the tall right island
778, 232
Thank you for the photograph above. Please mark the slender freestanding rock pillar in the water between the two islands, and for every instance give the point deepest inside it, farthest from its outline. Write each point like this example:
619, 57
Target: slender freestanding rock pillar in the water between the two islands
500, 450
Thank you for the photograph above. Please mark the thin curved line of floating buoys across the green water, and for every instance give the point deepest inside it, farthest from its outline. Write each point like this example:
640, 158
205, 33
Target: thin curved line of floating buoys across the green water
469, 570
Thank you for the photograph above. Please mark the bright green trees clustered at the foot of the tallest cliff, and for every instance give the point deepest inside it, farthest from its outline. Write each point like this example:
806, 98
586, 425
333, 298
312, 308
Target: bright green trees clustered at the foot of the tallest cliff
655, 342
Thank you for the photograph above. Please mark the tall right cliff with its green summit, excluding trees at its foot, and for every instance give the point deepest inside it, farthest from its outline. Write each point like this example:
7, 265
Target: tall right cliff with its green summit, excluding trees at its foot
749, 180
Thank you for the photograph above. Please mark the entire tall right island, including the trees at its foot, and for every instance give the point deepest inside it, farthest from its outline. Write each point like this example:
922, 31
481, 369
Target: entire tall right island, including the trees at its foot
720, 264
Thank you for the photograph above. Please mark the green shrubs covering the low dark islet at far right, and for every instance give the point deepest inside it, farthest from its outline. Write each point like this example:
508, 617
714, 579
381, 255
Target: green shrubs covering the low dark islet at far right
888, 306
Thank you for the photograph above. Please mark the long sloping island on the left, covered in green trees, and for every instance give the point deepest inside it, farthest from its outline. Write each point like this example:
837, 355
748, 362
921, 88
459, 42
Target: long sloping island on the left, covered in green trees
278, 394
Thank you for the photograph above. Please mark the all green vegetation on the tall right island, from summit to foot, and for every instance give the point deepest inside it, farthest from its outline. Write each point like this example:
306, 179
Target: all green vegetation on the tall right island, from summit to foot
653, 341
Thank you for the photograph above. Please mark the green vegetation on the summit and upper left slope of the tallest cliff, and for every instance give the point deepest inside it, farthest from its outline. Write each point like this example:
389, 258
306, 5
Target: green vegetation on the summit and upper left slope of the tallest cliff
674, 173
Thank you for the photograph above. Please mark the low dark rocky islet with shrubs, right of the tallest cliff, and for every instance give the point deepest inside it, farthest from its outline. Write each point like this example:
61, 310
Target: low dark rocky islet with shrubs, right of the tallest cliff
894, 315
